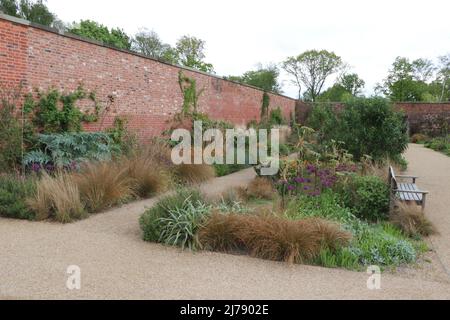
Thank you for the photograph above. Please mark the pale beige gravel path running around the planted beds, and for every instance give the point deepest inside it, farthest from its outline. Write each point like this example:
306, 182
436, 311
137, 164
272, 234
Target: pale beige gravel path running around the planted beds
116, 263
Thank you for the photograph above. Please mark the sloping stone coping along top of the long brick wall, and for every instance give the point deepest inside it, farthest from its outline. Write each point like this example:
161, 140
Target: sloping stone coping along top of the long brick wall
101, 44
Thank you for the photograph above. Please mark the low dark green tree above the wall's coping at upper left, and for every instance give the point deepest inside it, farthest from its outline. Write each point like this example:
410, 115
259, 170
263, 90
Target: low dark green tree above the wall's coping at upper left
93, 30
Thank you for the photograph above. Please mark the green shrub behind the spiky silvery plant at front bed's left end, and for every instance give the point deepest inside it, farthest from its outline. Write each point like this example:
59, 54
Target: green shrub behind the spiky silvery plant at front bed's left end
149, 221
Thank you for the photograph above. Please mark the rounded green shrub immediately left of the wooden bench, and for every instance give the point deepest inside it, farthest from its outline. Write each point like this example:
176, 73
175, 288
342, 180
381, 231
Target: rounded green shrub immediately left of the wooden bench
367, 197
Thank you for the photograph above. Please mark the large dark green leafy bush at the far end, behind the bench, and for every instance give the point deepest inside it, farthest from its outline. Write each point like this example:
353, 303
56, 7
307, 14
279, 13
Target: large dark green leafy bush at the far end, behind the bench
367, 126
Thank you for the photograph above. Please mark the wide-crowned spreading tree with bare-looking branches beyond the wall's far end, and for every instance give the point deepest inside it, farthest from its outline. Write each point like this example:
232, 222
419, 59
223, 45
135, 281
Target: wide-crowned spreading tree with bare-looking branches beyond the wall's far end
312, 68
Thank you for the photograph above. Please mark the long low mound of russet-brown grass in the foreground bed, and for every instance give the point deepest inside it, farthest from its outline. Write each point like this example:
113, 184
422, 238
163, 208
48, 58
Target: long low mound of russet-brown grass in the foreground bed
271, 237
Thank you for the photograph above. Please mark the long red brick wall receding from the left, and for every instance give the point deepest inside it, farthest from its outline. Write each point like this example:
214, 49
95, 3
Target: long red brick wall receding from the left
146, 91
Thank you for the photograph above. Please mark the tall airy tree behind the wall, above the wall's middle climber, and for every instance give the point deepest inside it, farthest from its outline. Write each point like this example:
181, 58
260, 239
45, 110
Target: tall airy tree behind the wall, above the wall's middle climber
189, 52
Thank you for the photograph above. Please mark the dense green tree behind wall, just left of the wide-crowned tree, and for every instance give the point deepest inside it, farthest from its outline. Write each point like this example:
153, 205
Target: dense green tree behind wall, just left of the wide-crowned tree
265, 78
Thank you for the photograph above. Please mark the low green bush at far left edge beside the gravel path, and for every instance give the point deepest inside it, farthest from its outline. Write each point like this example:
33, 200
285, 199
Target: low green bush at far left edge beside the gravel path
14, 191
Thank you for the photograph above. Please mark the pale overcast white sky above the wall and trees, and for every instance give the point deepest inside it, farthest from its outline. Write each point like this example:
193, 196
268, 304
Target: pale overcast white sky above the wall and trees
240, 34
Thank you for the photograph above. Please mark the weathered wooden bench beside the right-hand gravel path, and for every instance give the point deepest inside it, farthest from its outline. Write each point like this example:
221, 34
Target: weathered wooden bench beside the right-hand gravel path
407, 192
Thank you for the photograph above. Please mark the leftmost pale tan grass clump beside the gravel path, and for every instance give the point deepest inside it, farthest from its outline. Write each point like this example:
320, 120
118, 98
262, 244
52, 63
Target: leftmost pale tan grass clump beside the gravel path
57, 197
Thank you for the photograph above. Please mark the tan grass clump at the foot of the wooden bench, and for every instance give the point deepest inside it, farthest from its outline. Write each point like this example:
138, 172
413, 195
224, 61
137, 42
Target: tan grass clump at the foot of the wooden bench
411, 219
